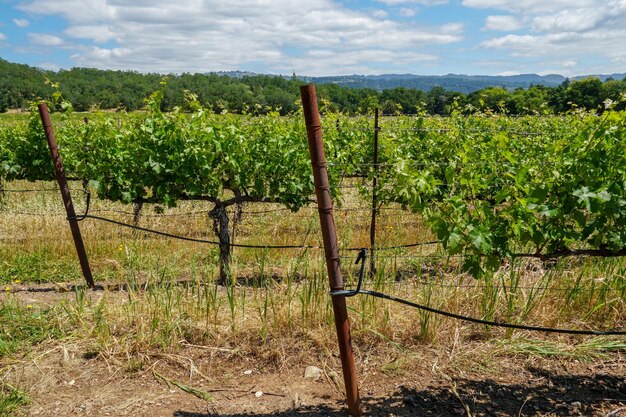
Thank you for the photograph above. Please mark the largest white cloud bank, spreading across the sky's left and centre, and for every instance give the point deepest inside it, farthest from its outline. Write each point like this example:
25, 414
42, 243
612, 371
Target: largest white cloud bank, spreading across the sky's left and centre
199, 36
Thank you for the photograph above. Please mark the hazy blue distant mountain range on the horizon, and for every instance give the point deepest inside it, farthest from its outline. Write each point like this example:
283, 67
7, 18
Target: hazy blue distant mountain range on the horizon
454, 82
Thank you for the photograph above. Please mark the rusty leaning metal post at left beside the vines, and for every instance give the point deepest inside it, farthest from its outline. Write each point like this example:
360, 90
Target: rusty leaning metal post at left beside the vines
59, 174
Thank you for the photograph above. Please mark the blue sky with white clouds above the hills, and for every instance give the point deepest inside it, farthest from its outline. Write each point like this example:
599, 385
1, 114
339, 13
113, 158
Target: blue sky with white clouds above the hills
319, 37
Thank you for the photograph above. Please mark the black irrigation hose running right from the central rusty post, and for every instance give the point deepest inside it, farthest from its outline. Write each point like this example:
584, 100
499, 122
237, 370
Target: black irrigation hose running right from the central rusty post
351, 293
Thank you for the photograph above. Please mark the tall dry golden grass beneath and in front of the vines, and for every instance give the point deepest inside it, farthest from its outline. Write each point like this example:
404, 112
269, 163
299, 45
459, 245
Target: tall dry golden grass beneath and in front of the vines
161, 294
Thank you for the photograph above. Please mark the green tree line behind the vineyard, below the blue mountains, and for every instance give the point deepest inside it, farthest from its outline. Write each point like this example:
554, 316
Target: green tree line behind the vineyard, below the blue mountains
89, 88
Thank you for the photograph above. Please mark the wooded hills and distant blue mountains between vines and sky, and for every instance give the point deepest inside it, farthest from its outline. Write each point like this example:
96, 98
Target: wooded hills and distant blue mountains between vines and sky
243, 92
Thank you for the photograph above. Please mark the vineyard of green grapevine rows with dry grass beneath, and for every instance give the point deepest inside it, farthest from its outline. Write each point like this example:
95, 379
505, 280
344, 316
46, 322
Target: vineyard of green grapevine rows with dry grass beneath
517, 220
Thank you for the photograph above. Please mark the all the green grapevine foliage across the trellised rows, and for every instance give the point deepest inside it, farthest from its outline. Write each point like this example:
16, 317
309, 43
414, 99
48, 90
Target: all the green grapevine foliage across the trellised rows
489, 186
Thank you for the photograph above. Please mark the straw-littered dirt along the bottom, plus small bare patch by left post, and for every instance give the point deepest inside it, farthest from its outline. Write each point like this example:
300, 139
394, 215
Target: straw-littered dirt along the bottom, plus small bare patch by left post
63, 379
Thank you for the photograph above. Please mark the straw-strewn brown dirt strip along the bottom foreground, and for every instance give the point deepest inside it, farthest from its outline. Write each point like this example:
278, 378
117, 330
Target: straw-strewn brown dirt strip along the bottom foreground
66, 383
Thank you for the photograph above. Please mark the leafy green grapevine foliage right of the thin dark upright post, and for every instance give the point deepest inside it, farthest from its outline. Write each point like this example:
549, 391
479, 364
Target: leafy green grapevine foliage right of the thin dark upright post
494, 187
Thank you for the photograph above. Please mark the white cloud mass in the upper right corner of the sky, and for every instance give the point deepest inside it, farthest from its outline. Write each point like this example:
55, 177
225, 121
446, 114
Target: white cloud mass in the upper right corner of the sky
560, 31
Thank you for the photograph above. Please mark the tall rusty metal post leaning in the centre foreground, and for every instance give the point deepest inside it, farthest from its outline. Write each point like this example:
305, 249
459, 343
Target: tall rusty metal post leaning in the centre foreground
331, 250
